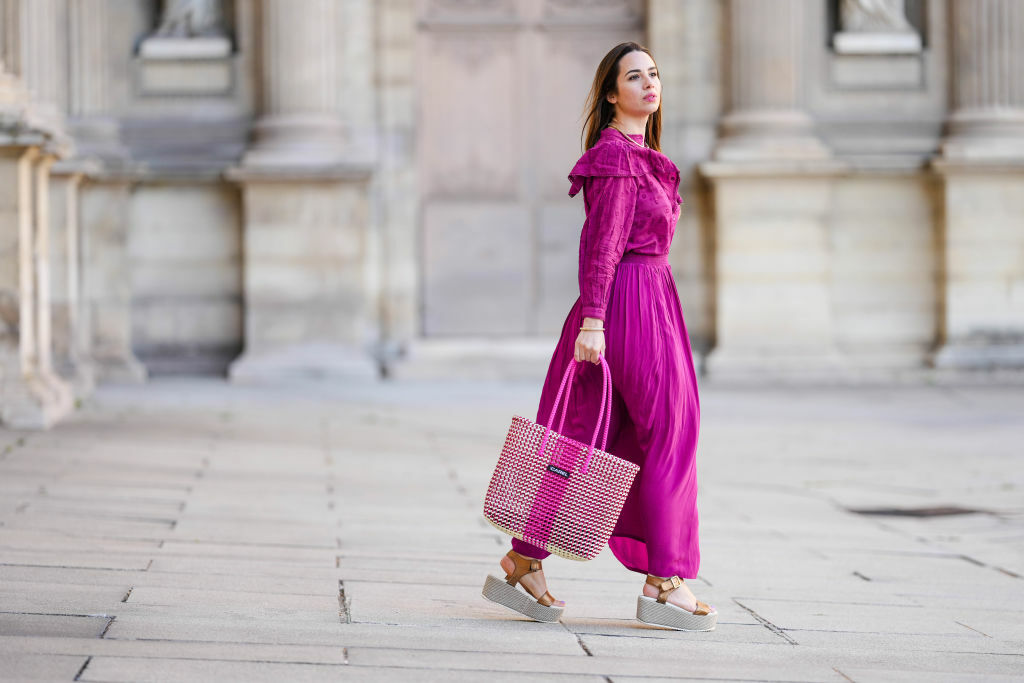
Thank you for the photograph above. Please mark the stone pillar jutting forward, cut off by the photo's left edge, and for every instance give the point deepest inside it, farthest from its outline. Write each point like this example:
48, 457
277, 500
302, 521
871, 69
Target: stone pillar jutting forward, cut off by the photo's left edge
31, 134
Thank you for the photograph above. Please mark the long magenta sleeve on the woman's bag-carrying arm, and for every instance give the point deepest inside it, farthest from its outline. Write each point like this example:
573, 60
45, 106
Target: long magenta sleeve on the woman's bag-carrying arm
611, 202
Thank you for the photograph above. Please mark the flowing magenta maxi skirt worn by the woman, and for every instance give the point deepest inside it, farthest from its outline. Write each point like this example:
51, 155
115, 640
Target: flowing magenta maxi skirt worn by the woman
656, 416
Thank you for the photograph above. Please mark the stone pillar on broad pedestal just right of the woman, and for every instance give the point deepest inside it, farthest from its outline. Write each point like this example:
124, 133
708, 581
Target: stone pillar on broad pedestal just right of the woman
773, 182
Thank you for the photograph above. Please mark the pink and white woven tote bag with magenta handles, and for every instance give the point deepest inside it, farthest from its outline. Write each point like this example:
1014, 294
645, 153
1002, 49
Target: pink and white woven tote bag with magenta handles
557, 493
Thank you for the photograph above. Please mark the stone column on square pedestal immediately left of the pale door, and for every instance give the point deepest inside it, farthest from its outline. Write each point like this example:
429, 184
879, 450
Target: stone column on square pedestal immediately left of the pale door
310, 308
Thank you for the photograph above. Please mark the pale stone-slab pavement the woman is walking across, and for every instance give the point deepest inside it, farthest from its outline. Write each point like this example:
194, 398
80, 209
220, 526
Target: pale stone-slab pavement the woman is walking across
193, 531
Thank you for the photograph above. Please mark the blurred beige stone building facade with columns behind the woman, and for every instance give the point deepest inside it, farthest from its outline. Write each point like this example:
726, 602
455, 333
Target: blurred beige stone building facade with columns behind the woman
266, 189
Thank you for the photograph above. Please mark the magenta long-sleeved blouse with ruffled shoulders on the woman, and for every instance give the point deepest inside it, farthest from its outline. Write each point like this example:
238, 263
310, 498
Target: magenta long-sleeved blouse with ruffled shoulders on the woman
631, 197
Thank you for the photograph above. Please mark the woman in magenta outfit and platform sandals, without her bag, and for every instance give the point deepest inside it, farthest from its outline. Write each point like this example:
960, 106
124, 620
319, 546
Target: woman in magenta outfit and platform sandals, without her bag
629, 307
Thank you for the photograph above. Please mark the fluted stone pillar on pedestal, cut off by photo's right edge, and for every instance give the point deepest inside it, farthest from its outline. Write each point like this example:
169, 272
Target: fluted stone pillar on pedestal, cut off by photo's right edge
983, 165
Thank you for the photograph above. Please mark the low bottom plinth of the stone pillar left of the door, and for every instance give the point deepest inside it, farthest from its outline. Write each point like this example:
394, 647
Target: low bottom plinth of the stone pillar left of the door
310, 361
